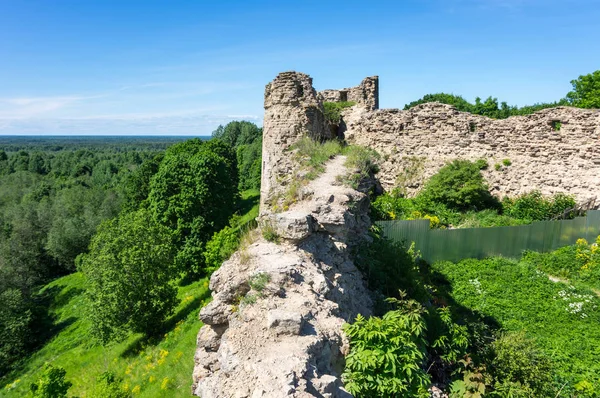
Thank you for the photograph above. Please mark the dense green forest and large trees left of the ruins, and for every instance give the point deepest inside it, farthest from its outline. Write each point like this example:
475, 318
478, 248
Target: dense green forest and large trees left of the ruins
133, 220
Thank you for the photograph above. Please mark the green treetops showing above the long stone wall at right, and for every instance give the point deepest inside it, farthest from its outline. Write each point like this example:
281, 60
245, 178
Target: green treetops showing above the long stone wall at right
585, 94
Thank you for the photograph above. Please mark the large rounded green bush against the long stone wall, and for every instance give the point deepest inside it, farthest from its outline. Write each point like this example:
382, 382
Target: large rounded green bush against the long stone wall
460, 186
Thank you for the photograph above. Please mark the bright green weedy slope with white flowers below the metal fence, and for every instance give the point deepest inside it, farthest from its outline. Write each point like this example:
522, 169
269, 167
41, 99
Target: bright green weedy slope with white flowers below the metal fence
520, 297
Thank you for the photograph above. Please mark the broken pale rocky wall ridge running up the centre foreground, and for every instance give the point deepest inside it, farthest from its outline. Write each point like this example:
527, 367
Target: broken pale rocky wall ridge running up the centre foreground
282, 337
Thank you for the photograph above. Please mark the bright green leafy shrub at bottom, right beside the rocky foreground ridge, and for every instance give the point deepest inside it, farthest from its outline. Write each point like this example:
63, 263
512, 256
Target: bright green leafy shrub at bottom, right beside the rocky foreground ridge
387, 354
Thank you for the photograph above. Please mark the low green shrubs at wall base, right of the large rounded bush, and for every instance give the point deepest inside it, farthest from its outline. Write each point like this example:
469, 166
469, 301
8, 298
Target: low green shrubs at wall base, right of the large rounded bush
534, 206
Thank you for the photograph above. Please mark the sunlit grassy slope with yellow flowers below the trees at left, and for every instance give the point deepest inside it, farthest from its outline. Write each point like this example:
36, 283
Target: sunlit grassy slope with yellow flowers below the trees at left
161, 368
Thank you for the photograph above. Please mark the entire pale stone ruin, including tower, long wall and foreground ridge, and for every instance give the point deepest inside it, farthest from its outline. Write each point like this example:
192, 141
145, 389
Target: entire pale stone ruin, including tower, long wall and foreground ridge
288, 342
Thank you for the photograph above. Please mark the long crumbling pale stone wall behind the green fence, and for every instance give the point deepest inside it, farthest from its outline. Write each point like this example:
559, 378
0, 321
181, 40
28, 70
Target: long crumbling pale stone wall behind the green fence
553, 150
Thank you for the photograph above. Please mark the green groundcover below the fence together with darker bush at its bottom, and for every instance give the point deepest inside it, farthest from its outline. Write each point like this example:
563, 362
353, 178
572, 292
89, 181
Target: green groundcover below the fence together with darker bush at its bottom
560, 319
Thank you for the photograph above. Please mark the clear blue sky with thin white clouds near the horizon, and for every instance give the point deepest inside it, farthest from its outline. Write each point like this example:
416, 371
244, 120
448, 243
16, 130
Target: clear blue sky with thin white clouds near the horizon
184, 67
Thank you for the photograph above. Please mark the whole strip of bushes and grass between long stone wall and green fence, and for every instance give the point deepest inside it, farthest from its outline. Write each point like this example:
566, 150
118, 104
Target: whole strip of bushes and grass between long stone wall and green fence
457, 196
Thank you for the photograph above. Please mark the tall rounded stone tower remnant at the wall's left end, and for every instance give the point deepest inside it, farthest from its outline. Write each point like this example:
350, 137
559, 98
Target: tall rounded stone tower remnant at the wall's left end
292, 110
